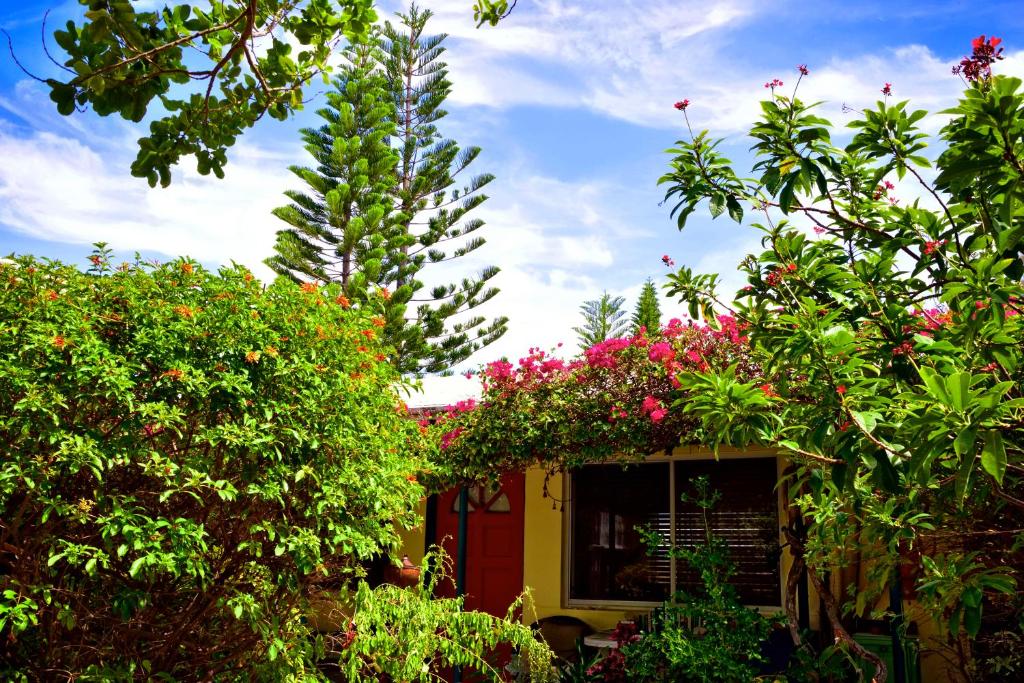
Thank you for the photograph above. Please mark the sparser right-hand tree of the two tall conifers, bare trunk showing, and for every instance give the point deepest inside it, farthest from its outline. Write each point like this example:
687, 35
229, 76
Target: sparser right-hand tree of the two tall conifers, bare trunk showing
434, 208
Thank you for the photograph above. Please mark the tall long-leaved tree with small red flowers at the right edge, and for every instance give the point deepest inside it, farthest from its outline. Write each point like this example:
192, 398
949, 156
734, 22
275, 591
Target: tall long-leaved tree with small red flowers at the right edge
885, 315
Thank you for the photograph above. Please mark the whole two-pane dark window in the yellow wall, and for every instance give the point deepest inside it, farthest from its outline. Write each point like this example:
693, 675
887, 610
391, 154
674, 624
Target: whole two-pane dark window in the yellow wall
608, 503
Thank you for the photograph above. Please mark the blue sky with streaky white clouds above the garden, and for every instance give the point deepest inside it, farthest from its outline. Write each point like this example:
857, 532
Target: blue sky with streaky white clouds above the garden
572, 102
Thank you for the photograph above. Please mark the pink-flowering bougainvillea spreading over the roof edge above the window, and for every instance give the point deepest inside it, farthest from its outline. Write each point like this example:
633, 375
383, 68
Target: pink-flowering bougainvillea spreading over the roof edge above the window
612, 401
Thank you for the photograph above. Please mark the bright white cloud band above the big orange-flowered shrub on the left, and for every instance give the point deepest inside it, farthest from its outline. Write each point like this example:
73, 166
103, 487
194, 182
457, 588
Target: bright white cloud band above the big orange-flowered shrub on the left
63, 190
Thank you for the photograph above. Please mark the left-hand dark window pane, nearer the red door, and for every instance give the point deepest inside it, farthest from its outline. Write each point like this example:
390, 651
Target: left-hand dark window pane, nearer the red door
608, 560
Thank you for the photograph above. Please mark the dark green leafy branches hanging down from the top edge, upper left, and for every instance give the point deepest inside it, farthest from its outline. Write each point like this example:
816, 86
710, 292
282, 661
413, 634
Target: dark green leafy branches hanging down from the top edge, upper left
212, 69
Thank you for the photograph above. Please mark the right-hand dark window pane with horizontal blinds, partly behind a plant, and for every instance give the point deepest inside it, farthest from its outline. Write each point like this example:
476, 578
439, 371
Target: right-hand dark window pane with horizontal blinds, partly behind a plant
746, 518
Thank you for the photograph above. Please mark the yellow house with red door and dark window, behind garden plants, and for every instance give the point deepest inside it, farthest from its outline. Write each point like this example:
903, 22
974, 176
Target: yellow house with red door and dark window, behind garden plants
573, 539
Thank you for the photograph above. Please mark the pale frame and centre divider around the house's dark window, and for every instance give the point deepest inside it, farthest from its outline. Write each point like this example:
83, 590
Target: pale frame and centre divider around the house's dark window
679, 455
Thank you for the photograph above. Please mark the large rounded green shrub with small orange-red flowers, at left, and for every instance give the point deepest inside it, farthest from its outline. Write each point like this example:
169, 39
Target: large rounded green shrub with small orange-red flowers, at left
187, 458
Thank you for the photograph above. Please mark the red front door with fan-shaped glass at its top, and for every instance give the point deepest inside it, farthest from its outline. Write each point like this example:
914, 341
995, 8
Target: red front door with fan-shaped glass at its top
494, 551
